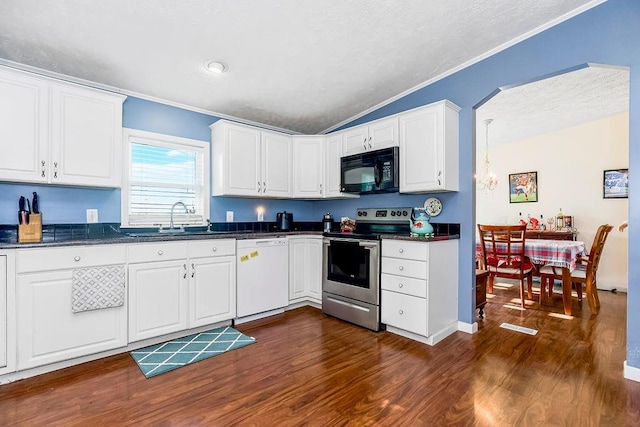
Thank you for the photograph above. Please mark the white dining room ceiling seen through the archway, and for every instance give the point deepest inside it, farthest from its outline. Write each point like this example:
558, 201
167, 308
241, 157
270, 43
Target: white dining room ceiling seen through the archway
554, 103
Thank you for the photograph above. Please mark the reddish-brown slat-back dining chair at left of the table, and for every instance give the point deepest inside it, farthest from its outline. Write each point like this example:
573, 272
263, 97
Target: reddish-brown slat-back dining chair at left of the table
503, 255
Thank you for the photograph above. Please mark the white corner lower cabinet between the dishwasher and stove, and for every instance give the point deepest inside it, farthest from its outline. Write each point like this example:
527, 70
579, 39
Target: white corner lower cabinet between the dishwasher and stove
305, 269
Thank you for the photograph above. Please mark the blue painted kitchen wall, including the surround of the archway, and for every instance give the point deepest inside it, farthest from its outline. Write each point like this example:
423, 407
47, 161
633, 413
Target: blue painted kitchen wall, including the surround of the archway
607, 34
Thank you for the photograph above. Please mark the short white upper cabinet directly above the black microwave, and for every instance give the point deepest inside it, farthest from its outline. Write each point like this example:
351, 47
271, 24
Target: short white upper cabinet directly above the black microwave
372, 136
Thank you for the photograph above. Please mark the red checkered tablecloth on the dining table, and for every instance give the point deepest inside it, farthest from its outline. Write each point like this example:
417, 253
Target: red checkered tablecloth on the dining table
557, 253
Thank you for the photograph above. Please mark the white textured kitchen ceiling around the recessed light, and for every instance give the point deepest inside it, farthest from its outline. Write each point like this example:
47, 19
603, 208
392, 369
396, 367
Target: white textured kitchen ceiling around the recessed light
302, 65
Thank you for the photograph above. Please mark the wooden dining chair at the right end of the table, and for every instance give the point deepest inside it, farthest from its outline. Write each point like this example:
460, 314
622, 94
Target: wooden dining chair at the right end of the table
585, 272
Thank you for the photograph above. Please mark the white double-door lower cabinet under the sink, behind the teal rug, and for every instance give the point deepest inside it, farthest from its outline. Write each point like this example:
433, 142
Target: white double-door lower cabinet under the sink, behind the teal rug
178, 285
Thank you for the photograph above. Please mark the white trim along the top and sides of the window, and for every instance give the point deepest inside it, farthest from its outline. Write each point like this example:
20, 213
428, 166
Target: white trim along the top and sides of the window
127, 134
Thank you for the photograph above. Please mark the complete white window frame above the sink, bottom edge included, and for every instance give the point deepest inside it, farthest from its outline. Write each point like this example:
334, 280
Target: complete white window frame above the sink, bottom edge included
130, 136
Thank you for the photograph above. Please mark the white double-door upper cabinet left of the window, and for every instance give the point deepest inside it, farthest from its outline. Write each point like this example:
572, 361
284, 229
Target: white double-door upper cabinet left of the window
59, 133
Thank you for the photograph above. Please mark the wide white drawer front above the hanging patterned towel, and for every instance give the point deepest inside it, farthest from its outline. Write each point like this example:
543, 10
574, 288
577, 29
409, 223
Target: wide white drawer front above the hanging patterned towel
45, 259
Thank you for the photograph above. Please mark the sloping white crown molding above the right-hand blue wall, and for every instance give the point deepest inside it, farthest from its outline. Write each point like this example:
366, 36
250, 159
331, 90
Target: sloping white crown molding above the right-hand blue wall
469, 63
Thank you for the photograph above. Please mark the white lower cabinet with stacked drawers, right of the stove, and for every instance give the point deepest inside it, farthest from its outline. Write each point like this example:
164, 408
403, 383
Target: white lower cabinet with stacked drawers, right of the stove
420, 288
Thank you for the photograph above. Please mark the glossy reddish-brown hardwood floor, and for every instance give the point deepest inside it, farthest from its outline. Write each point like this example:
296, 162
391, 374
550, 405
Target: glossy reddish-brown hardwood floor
309, 369
